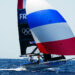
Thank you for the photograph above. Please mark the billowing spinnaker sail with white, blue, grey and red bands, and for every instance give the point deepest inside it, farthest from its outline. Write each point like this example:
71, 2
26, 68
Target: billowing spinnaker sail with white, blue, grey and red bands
49, 28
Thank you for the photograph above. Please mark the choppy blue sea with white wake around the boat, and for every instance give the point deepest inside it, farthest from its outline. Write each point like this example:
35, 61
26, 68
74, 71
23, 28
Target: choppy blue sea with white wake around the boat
14, 67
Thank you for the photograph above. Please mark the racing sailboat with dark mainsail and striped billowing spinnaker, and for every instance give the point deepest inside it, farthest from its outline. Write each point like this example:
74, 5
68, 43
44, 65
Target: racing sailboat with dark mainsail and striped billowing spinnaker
48, 28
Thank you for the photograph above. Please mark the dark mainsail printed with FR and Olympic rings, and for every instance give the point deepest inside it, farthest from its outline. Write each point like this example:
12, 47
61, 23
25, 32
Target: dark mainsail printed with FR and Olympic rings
25, 36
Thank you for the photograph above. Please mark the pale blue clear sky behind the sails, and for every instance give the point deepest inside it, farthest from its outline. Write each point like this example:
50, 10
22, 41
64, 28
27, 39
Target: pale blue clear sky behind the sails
9, 40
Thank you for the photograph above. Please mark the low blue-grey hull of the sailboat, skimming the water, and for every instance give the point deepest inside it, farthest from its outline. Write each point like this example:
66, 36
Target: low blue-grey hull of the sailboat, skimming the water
44, 65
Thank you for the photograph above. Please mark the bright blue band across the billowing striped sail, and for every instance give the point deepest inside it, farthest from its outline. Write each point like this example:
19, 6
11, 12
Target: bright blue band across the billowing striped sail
44, 17
